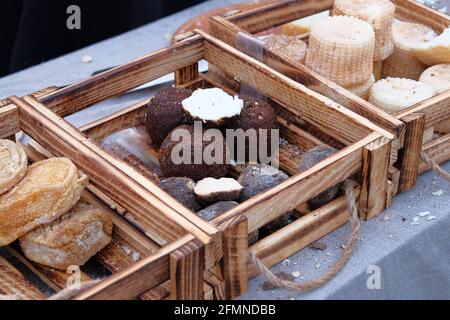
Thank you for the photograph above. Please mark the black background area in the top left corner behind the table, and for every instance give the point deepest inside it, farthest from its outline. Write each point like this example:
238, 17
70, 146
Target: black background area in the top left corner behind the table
32, 31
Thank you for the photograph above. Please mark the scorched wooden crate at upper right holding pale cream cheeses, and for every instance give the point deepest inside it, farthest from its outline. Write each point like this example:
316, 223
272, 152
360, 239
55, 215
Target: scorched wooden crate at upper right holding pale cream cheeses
241, 28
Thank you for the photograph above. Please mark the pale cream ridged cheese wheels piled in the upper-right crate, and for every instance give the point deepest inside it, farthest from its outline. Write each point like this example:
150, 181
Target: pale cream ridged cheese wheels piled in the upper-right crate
362, 42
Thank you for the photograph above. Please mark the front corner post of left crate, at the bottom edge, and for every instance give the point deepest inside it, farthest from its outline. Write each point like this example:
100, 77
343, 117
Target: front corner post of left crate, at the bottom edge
186, 272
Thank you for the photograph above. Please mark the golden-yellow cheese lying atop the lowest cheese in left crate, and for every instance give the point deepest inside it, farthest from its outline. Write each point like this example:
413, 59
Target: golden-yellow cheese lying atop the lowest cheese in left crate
49, 189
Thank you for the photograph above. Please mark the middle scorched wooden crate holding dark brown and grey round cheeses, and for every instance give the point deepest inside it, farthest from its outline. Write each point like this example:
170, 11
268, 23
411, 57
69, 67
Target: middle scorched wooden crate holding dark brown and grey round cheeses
364, 150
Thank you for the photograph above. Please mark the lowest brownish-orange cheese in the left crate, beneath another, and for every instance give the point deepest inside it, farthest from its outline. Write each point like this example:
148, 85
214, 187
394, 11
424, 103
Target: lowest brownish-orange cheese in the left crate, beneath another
70, 240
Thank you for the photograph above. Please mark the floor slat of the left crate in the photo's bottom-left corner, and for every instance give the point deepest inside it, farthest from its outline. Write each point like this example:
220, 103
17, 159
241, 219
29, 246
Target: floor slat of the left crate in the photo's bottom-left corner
15, 285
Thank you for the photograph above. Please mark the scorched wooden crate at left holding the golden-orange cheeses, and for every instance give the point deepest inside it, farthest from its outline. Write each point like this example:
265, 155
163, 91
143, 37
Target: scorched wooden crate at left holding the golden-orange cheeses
132, 266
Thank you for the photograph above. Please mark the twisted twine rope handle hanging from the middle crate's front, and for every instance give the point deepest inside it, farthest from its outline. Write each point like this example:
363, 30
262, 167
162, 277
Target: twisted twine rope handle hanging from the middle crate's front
340, 263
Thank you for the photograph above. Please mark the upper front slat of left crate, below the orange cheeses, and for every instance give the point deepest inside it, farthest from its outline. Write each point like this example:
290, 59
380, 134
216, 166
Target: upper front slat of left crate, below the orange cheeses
141, 277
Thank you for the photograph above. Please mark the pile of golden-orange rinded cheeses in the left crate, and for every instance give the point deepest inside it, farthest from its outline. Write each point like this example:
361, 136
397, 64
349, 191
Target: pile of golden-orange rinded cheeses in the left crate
40, 206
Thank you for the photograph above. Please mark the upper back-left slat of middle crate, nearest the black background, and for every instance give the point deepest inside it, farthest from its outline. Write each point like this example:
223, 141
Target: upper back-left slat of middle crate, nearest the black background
121, 79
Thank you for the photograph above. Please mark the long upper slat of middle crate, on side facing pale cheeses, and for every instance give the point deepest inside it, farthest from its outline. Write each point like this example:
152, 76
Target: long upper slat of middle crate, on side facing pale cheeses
345, 125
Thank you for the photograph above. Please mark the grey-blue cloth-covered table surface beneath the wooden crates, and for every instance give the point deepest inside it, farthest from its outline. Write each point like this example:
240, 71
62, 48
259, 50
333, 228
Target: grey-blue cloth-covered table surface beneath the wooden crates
412, 259
